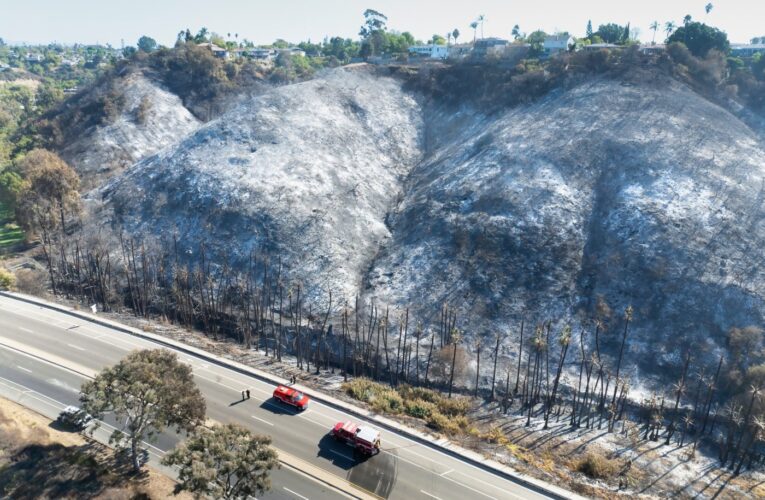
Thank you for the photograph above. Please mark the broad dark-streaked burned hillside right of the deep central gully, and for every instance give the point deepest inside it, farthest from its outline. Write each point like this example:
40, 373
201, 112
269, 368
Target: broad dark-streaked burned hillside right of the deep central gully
644, 194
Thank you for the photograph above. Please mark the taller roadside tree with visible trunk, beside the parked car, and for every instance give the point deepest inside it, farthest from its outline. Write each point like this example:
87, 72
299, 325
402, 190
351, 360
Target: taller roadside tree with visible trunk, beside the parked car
148, 390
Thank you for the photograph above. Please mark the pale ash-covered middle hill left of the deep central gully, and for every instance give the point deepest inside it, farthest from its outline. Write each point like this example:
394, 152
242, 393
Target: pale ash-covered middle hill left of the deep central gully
308, 170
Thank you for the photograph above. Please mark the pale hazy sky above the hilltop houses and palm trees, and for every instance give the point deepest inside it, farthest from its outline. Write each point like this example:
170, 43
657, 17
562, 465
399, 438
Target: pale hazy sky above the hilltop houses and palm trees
107, 21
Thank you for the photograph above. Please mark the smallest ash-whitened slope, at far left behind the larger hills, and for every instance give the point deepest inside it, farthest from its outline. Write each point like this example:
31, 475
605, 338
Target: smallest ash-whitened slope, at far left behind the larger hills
149, 118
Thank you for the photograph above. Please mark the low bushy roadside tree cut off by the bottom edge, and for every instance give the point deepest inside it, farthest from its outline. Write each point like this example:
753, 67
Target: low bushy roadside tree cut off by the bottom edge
225, 461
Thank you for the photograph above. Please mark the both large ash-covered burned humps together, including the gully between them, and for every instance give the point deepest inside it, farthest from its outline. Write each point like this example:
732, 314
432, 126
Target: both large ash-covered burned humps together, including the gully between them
638, 191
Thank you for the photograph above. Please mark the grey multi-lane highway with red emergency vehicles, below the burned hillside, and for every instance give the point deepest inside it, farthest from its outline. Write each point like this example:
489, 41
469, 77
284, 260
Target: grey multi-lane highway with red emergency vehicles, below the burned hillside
43, 350
